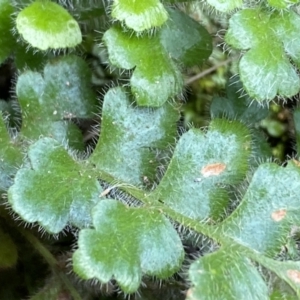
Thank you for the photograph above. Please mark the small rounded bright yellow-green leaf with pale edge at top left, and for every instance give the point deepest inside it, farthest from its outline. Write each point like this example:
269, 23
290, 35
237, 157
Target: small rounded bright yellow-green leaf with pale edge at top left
46, 25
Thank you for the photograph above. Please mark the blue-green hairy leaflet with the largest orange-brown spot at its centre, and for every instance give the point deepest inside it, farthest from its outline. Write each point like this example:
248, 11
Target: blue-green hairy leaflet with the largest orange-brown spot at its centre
201, 167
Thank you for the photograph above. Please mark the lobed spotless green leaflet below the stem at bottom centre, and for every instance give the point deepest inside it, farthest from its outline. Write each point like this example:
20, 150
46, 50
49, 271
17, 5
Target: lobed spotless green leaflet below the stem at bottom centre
144, 242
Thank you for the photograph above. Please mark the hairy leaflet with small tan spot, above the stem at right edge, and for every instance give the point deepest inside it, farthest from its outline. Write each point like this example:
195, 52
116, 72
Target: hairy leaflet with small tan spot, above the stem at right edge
268, 210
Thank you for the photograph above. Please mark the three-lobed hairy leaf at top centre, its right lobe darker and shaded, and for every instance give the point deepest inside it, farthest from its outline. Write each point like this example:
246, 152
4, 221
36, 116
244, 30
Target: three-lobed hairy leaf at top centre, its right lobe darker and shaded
156, 77
